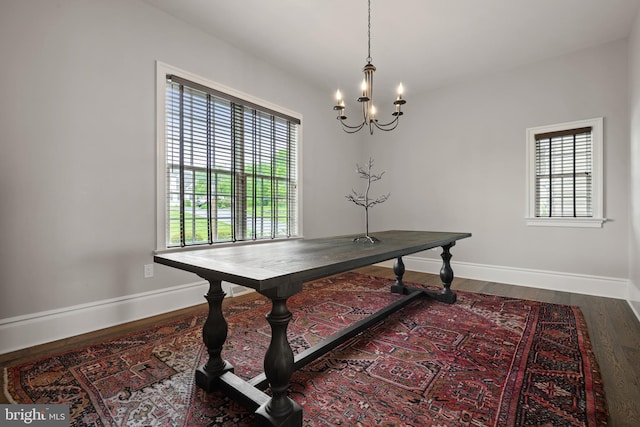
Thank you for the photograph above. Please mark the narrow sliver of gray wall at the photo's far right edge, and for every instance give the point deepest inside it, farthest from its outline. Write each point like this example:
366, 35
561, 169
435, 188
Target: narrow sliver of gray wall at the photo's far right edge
634, 188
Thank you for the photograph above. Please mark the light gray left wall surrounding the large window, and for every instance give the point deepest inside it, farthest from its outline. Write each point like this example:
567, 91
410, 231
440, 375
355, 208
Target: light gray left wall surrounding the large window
77, 169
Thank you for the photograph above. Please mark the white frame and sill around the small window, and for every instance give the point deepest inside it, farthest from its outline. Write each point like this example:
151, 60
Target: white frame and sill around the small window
597, 199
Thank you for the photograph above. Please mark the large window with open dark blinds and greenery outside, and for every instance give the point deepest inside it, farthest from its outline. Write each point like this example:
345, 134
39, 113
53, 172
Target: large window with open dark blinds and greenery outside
230, 169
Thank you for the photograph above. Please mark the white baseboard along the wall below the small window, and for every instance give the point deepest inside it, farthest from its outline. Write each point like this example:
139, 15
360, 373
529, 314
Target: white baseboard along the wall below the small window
610, 287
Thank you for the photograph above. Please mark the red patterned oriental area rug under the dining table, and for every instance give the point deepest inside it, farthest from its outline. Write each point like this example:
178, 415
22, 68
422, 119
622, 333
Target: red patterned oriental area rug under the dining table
484, 361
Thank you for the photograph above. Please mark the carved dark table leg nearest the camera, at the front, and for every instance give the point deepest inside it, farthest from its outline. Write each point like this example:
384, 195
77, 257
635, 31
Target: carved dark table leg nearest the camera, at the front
280, 410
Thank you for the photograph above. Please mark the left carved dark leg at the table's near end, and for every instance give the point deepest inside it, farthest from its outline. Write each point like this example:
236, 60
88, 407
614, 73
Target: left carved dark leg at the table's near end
214, 334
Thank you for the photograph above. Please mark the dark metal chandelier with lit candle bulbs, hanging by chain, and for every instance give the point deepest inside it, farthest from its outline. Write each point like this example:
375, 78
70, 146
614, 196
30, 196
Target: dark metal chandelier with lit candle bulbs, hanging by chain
368, 109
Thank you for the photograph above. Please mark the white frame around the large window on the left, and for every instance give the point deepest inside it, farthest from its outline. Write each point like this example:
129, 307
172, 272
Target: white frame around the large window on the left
162, 70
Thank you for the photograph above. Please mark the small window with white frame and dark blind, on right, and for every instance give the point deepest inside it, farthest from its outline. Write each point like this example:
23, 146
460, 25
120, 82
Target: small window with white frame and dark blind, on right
565, 174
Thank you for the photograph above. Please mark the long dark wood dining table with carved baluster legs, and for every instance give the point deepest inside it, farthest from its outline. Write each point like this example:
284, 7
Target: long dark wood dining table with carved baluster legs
278, 269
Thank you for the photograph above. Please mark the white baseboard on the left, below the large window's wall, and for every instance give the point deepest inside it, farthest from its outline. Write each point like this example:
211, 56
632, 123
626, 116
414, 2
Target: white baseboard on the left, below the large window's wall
38, 328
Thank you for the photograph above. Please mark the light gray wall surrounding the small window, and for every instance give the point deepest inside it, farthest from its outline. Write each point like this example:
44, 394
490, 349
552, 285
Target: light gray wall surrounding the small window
458, 163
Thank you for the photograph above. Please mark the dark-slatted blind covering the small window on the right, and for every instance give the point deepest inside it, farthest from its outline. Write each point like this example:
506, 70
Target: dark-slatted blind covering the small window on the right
564, 174
